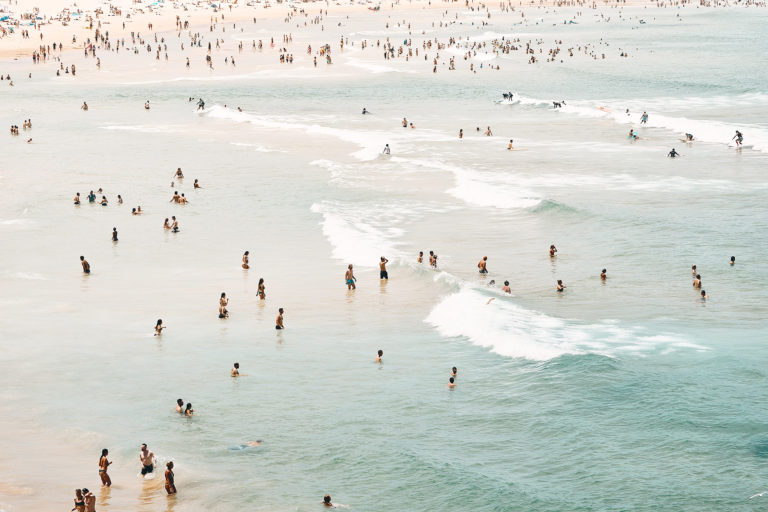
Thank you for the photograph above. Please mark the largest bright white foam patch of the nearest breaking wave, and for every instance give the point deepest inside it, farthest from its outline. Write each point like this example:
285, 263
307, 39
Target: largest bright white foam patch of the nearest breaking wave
512, 331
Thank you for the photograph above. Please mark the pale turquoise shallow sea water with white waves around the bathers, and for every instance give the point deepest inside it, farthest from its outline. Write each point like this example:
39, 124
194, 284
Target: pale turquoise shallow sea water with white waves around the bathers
625, 395
